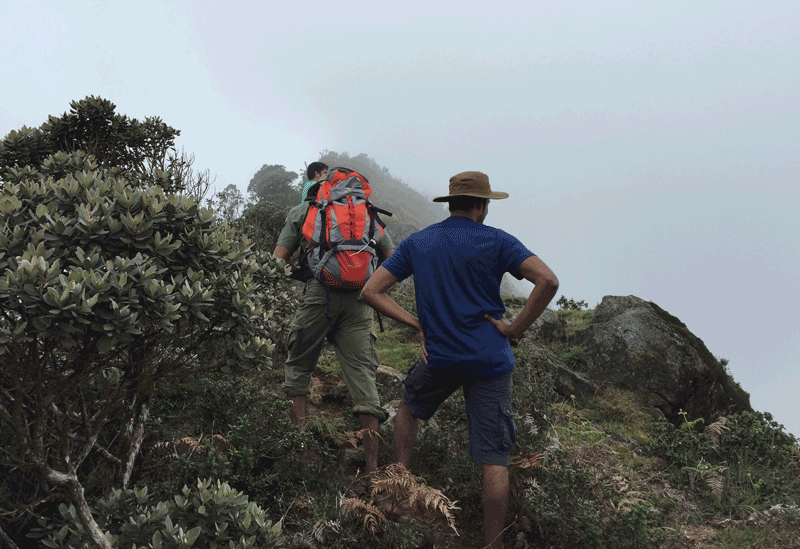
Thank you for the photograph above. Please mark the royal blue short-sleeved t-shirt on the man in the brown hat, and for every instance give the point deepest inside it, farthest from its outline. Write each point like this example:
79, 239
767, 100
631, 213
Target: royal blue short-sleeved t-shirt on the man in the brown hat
458, 265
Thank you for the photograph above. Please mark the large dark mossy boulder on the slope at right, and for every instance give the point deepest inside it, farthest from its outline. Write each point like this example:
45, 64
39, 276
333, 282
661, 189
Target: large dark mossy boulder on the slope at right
636, 345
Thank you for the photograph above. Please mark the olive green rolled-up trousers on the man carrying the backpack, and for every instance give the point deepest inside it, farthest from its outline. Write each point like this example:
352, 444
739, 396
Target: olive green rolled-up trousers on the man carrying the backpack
346, 322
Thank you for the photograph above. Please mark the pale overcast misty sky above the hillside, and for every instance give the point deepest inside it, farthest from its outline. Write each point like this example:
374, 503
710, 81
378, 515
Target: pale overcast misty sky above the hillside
650, 148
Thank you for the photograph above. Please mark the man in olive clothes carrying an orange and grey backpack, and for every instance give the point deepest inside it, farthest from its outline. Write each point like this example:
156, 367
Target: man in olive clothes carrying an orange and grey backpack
341, 239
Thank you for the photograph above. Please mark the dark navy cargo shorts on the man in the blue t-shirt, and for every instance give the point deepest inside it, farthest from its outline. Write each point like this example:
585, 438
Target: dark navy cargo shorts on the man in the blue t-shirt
490, 417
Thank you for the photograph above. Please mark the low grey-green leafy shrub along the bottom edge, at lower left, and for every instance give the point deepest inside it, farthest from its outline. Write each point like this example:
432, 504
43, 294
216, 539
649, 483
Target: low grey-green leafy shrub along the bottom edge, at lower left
209, 516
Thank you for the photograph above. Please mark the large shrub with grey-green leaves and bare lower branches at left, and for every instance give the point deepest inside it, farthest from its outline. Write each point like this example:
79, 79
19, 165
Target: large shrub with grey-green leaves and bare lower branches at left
107, 286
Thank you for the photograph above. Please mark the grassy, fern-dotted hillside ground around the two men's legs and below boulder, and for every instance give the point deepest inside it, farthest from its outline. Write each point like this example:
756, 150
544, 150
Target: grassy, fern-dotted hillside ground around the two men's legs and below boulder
594, 470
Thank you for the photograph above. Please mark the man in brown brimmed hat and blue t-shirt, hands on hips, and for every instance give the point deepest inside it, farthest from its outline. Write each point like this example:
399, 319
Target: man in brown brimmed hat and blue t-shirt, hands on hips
458, 265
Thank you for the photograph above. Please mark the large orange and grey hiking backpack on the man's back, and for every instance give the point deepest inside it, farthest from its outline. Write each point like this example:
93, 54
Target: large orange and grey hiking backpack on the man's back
342, 229
